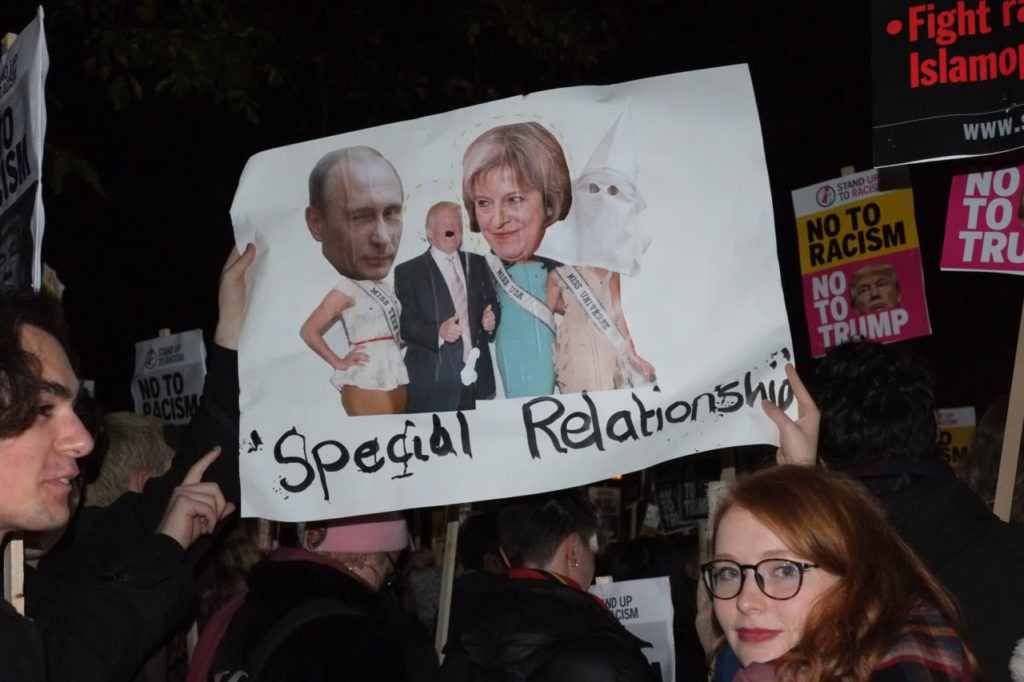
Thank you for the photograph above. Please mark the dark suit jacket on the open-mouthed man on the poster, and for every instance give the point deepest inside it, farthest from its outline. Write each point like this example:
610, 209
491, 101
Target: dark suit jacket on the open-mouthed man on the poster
435, 383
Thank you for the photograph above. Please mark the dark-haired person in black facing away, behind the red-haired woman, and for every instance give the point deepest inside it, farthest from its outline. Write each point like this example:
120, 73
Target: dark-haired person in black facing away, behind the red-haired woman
878, 423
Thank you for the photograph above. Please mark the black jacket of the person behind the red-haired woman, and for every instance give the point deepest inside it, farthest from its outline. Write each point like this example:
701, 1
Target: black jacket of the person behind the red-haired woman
978, 558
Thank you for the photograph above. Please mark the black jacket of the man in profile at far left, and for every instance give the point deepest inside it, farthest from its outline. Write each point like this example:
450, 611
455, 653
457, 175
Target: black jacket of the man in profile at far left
115, 591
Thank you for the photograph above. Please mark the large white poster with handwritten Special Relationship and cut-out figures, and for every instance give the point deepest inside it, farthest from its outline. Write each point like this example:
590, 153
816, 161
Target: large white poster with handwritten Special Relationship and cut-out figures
670, 228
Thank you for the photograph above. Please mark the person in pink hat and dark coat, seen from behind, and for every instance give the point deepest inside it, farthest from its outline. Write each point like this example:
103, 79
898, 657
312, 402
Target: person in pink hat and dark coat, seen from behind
321, 613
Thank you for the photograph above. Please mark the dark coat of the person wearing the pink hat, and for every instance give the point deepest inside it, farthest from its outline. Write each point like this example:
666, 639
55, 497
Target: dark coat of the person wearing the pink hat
372, 640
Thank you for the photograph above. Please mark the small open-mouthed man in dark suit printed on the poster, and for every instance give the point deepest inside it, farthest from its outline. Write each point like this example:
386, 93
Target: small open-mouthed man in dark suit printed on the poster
442, 339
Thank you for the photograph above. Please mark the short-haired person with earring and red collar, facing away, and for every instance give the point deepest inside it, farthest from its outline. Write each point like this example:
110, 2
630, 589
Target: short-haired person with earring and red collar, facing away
541, 625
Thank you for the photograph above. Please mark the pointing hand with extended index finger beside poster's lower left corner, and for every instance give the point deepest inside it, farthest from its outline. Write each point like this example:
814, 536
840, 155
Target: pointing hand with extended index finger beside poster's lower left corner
195, 507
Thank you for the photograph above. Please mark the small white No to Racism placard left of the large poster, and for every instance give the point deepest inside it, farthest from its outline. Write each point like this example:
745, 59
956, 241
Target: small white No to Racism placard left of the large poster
169, 375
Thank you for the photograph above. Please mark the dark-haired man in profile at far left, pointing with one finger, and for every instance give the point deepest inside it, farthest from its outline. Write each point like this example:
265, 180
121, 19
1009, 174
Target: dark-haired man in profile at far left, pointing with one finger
41, 440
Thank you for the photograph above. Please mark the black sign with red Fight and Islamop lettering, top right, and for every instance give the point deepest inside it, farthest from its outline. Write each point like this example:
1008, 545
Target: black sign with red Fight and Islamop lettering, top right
949, 79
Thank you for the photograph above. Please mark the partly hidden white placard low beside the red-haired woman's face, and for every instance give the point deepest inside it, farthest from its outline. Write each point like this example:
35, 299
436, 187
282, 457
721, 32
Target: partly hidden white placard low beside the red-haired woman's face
644, 608
